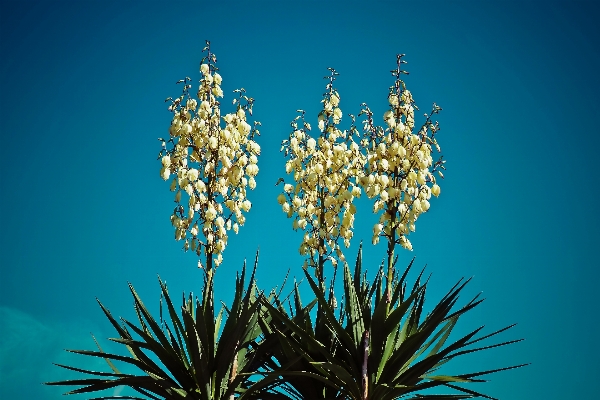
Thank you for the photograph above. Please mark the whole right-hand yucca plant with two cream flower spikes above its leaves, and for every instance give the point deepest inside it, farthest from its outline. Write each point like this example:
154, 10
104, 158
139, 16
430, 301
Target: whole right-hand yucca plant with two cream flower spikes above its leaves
381, 346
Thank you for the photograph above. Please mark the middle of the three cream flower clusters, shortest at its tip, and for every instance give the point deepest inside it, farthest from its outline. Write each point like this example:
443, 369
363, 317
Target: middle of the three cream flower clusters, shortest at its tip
325, 172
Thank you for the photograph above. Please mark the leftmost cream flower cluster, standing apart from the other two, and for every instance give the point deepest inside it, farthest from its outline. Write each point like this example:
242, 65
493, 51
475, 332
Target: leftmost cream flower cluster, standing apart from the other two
213, 159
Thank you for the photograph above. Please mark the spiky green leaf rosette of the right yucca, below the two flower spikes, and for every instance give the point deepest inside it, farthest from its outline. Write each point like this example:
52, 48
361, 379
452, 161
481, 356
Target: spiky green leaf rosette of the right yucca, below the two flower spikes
379, 350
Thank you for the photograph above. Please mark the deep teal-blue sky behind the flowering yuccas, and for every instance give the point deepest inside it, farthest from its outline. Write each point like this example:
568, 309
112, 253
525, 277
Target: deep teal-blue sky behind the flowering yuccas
84, 211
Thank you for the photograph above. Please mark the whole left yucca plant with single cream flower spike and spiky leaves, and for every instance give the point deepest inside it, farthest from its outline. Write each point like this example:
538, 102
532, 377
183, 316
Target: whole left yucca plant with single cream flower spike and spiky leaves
210, 158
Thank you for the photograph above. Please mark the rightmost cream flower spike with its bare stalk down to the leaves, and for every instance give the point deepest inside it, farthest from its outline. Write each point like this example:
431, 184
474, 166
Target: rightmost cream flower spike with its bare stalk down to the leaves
400, 170
